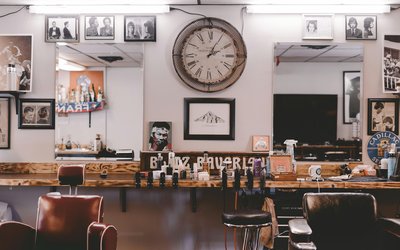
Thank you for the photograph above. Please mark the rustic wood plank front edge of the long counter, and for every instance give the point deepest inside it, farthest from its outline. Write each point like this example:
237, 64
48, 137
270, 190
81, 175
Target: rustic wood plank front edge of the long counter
122, 175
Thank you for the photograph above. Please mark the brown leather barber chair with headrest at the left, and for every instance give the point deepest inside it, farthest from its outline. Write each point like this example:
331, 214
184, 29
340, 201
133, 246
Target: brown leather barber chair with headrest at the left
64, 222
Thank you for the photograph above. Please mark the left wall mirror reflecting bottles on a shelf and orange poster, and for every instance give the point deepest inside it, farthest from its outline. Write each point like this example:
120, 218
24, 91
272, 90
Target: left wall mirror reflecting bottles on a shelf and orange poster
99, 94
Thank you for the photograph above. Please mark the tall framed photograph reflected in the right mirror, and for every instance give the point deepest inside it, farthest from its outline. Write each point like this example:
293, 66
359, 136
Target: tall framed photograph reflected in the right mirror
351, 96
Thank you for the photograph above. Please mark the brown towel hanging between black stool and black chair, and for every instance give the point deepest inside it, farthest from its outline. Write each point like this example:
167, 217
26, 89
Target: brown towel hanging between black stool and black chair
267, 234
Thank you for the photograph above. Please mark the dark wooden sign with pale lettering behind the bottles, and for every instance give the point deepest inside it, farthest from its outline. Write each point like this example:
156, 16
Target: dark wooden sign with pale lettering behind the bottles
148, 159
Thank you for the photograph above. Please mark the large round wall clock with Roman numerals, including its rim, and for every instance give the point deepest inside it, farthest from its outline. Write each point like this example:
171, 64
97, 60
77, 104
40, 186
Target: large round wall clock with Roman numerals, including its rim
209, 54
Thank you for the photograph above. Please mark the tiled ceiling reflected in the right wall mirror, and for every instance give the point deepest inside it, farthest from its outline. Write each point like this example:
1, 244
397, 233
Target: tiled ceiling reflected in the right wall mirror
311, 52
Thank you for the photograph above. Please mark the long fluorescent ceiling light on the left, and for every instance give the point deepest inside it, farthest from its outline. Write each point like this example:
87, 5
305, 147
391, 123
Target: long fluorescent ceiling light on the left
98, 9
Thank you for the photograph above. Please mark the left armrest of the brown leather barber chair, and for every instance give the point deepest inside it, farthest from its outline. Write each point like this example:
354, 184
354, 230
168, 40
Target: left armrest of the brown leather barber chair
17, 236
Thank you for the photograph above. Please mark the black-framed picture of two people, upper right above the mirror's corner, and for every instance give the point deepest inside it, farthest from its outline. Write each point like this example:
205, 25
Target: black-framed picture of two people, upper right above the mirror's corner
365, 27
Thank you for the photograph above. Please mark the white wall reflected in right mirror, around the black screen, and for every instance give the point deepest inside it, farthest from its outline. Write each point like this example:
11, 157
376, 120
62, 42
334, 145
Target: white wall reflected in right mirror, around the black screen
316, 78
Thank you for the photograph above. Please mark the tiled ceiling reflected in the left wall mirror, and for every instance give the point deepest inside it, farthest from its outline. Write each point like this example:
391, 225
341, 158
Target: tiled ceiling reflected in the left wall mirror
103, 54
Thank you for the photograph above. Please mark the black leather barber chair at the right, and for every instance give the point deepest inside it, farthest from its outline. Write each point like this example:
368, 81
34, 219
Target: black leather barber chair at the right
345, 221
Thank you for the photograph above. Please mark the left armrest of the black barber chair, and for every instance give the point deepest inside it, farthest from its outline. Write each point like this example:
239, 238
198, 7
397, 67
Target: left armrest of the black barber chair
300, 235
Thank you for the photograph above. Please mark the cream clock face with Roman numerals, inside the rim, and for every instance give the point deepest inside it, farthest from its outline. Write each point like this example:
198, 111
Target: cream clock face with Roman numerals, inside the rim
209, 55
